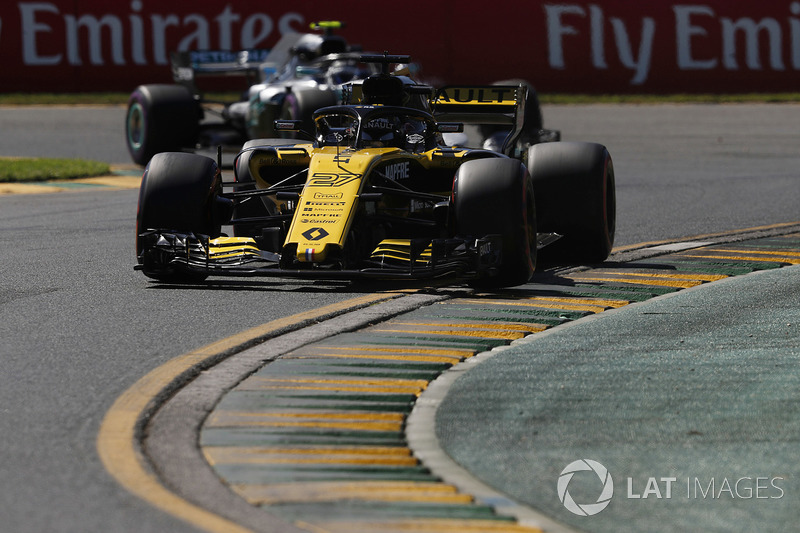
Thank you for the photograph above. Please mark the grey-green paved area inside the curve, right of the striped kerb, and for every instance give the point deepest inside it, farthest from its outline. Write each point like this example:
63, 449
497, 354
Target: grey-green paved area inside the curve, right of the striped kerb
700, 386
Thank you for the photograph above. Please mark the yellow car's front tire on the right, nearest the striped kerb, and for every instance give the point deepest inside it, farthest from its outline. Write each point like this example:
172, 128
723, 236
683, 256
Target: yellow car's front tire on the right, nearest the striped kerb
495, 196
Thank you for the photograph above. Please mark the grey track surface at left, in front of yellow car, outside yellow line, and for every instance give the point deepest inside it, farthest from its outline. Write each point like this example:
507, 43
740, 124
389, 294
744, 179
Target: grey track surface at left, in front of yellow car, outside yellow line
79, 327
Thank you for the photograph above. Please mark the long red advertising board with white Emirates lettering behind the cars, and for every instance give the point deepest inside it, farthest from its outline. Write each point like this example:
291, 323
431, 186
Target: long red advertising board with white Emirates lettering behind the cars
608, 46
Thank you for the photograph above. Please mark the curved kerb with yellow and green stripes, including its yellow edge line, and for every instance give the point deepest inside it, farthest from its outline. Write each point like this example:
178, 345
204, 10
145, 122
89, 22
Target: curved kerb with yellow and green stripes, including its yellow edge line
312, 430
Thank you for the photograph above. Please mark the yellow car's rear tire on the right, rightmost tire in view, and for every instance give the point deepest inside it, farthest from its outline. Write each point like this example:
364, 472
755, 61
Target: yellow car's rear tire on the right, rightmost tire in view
575, 195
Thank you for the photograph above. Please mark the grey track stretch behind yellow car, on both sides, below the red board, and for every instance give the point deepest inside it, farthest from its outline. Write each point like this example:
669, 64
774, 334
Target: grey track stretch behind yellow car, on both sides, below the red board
682, 170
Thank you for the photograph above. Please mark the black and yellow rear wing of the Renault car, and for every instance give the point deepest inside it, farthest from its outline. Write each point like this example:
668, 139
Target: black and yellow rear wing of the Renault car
483, 105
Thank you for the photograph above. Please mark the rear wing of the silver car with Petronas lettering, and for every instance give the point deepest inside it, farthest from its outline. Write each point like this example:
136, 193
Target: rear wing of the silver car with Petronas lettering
189, 65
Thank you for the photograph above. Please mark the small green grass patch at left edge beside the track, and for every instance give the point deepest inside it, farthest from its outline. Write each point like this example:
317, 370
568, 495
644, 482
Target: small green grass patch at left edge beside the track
30, 170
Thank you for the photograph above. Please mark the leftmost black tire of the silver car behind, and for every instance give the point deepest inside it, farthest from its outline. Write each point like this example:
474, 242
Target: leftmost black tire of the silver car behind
160, 118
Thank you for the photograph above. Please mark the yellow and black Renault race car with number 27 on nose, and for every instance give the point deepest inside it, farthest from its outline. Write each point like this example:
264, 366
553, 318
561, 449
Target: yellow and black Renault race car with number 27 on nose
375, 193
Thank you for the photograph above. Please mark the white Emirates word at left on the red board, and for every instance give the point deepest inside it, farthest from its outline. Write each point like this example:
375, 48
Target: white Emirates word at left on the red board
101, 31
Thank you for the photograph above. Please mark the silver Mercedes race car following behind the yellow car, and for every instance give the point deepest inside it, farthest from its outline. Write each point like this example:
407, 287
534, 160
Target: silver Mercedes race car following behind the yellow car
303, 72
